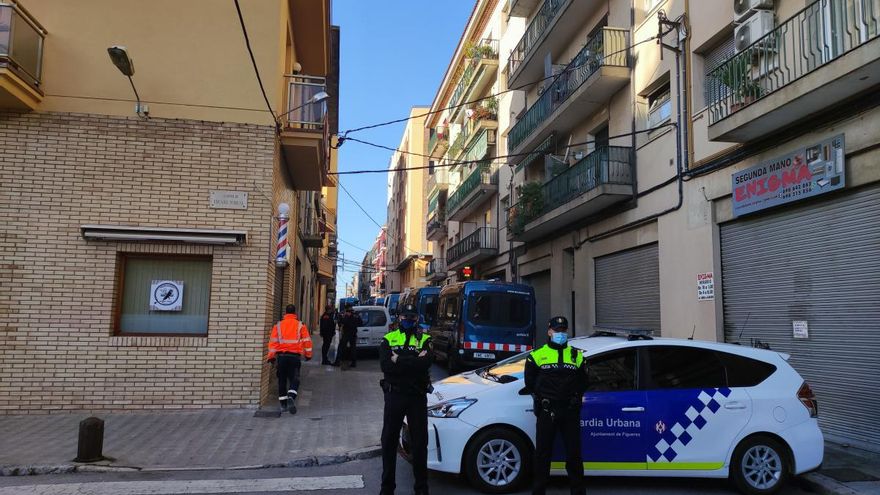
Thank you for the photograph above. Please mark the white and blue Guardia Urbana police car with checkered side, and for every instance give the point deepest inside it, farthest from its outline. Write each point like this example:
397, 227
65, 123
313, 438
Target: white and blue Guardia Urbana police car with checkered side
654, 407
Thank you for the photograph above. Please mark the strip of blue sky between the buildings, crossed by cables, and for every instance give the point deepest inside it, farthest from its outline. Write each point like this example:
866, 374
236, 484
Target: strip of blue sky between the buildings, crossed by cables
394, 54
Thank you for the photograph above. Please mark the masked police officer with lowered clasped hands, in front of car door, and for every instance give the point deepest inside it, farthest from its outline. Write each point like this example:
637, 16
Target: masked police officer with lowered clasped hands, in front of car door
556, 376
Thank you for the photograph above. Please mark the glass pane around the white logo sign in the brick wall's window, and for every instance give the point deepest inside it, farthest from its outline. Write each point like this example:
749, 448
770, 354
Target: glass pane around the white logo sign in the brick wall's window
138, 276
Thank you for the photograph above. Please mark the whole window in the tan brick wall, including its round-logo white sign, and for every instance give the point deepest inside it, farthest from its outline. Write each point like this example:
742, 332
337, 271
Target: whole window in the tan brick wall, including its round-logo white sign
163, 295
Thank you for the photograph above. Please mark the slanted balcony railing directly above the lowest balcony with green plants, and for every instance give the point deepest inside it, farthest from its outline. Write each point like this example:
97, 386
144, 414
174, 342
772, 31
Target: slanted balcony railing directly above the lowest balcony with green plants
606, 48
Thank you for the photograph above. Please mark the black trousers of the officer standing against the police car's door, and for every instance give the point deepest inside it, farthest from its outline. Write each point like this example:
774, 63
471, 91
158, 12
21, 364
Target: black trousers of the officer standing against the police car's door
564, 421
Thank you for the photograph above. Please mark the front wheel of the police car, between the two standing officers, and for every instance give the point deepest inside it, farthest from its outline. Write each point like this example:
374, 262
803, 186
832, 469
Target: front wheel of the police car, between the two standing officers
506, 459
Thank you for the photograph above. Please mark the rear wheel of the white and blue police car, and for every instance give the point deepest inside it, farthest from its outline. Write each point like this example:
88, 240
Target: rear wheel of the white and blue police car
760, 466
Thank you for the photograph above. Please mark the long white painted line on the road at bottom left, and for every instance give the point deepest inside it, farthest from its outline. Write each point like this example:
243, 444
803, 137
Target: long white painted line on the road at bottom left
190, 486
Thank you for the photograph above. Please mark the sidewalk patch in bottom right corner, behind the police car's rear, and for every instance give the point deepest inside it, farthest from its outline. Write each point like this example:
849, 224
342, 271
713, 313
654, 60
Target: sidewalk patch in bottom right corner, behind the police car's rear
846, 471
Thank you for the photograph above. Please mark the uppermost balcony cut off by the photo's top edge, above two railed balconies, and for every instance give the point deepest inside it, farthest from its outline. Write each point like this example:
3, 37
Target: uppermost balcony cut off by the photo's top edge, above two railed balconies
556, 23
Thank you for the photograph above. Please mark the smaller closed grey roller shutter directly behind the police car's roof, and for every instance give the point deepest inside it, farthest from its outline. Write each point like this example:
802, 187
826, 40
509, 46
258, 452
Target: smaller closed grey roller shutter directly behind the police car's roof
628, 289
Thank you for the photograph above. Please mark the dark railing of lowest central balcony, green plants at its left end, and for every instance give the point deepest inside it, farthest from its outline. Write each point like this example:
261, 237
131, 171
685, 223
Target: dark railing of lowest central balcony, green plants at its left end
605, 165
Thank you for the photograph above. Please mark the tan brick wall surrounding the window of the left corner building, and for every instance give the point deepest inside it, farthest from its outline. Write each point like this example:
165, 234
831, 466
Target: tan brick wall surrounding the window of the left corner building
60, 171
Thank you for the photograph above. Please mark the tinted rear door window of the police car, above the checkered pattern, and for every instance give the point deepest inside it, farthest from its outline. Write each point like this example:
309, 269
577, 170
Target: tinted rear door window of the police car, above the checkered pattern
685, 367
